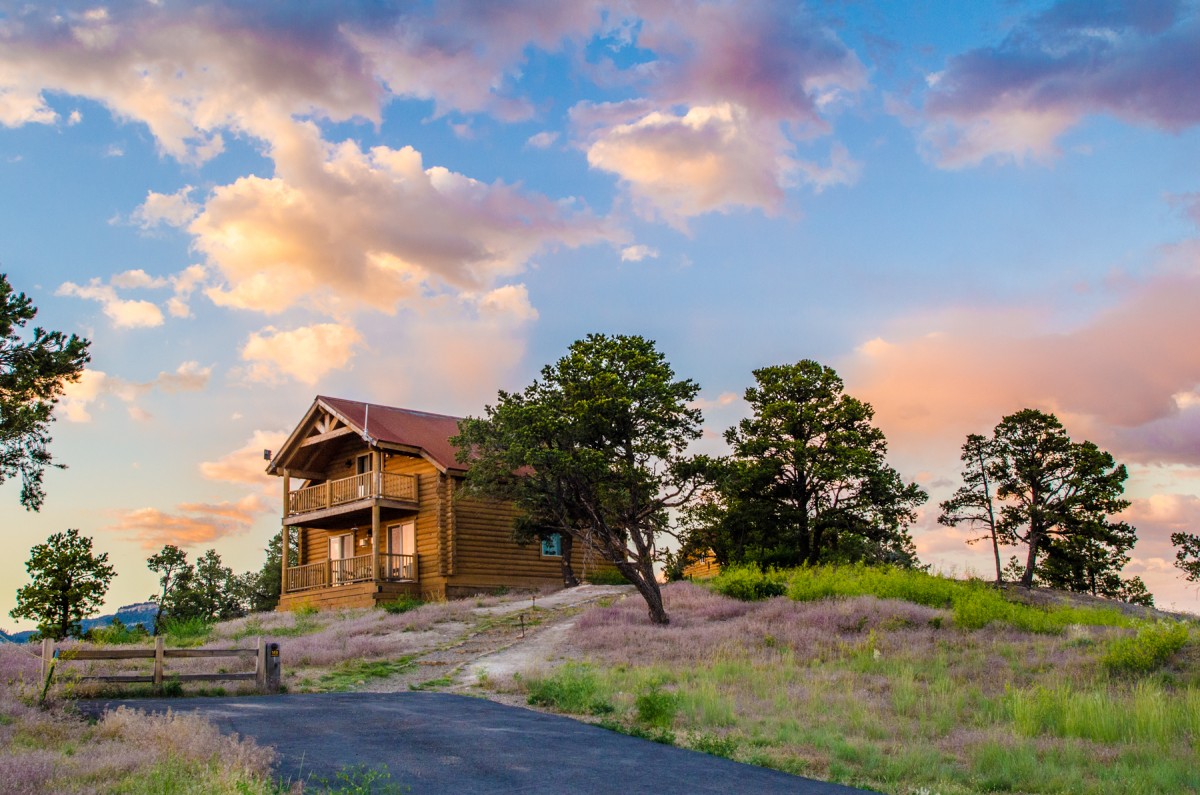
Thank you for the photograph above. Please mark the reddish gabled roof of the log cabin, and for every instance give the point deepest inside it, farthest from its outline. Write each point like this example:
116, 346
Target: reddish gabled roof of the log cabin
388, 427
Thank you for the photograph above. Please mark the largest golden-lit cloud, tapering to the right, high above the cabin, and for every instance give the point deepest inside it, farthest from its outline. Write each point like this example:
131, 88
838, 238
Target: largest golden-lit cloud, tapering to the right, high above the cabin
340, 229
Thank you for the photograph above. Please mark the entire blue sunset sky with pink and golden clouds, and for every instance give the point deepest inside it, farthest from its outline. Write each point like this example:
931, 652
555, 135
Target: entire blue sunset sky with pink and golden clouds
967, 210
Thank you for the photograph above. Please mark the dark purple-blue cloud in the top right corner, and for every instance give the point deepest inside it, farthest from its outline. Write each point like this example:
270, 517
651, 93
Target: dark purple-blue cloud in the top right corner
1015, 101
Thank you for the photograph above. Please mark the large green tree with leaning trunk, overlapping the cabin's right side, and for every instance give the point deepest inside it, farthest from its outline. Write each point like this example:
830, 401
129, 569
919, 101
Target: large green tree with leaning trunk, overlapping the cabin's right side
596, 451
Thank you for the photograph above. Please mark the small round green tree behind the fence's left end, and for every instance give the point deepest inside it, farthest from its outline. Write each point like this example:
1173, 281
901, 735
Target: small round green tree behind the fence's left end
68, 583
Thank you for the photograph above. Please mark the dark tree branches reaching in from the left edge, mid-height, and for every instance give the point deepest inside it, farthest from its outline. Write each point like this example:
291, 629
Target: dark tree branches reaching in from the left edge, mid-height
33, 375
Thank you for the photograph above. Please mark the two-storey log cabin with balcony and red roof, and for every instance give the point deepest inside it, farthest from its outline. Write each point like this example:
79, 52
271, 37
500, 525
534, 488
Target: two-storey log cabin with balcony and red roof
371, 495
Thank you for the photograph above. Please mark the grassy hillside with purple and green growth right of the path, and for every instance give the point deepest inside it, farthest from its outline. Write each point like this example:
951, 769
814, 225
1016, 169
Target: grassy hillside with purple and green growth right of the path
896, 682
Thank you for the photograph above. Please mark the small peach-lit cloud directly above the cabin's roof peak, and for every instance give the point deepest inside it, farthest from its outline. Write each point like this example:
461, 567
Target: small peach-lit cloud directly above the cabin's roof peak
307, 354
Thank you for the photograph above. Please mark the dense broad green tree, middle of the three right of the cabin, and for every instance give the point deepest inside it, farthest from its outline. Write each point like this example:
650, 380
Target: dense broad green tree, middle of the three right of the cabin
807, 481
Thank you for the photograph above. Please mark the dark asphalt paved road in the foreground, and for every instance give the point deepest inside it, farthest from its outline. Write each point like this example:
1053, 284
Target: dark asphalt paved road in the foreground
439, 743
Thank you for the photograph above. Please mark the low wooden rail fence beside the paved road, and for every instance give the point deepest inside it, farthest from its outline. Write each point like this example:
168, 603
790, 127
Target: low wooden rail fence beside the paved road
267, 674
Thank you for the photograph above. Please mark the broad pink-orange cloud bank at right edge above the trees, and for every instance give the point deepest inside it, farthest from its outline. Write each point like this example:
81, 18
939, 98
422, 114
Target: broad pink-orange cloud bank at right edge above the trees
1120, 378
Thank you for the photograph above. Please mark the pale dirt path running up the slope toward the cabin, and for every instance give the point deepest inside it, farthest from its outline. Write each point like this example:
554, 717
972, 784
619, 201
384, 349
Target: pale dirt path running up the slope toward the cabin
507, 638
